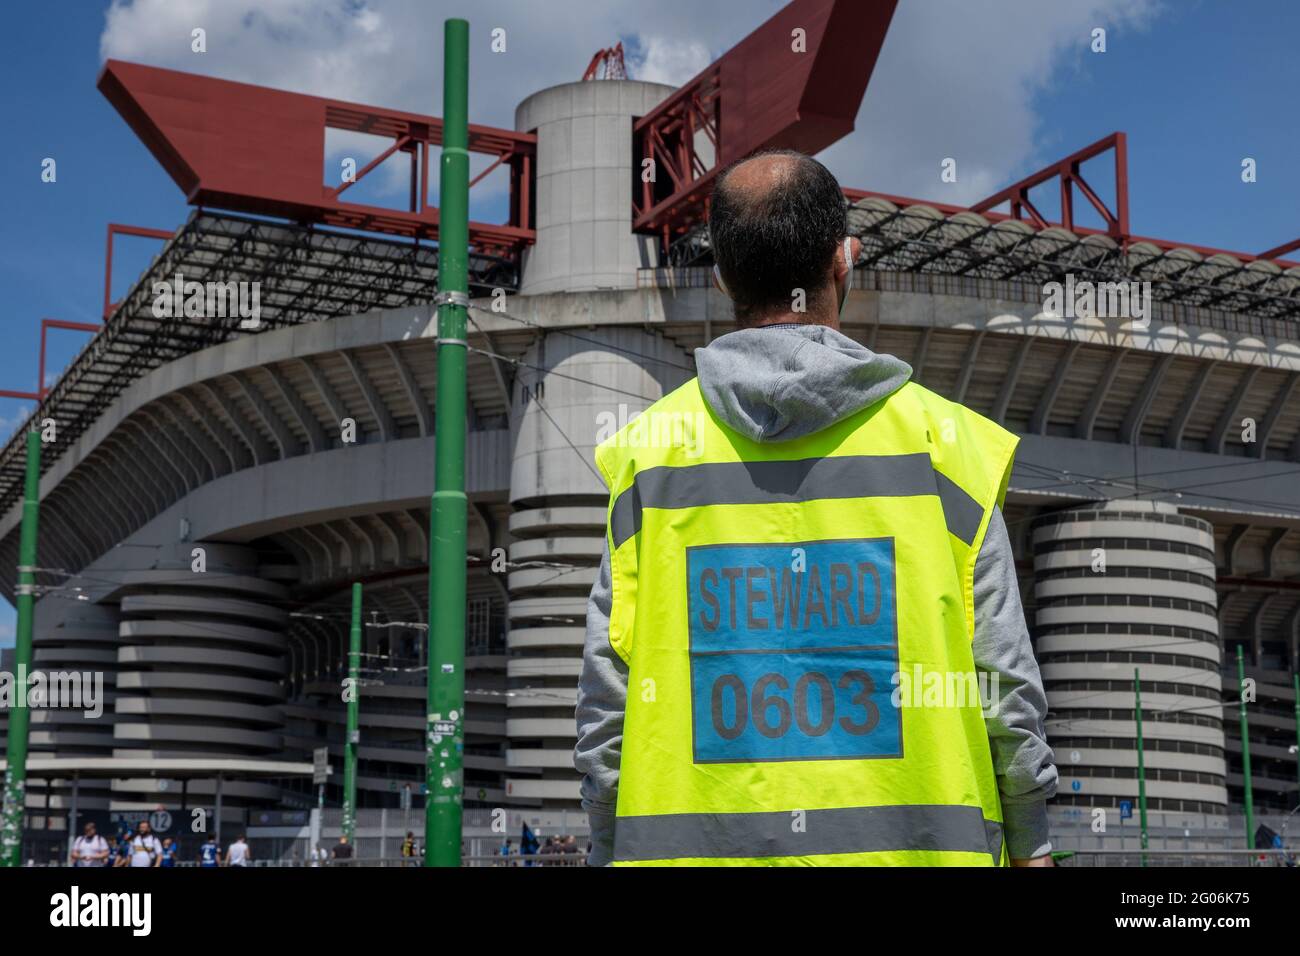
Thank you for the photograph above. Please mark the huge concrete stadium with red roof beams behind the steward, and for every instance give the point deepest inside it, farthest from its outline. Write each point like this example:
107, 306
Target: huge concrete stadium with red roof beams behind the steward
1154, 507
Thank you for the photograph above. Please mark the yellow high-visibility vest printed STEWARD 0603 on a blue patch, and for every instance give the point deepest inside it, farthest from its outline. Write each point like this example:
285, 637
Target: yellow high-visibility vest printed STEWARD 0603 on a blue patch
798, 621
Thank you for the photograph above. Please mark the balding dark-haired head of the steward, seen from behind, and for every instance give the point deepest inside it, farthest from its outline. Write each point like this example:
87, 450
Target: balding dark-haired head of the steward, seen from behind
775, 223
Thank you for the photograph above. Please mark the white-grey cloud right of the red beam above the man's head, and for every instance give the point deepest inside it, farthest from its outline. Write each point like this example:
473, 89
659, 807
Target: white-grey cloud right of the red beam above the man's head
959, 80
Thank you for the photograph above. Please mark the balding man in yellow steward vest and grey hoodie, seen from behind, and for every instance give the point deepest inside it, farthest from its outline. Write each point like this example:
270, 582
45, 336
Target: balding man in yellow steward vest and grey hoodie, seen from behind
811, 533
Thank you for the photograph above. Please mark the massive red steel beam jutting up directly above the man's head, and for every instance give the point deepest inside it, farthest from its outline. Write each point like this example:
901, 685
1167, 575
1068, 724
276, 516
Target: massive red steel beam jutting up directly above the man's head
762, 94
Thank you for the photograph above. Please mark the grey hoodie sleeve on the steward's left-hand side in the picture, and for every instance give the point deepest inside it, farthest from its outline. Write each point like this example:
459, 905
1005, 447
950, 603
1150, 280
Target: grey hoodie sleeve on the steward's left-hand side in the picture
603, 697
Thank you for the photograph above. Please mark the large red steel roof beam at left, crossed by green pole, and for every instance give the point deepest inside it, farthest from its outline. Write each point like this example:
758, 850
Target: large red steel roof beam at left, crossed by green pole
250, 149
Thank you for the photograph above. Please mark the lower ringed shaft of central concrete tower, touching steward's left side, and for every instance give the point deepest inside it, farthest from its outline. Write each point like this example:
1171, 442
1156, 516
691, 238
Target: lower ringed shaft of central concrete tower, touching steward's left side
558, 533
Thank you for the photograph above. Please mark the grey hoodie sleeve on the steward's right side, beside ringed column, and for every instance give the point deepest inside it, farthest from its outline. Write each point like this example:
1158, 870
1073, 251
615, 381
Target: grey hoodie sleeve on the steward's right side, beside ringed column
1022, 760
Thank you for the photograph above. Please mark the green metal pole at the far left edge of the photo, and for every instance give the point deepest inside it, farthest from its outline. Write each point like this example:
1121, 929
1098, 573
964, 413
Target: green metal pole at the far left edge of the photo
20, 716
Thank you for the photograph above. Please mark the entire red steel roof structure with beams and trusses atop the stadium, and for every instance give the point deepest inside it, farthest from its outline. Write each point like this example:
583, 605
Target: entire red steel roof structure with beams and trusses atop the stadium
798, 81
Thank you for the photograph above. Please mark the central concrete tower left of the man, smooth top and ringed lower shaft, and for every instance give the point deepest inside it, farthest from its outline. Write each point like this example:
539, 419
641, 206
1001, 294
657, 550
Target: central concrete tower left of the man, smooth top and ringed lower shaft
595, 380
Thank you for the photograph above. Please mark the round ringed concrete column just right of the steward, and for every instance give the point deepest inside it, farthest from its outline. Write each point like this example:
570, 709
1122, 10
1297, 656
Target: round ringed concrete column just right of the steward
1121, 586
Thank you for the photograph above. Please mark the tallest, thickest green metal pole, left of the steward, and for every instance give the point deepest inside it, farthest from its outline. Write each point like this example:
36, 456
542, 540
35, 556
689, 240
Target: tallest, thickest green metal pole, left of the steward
447, 712
